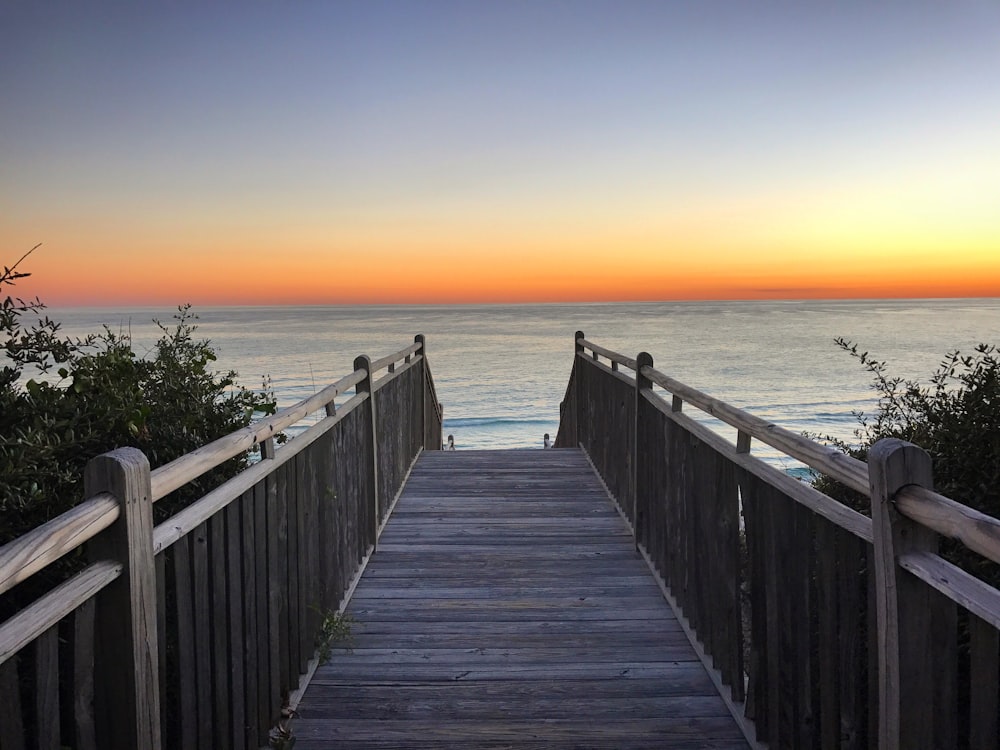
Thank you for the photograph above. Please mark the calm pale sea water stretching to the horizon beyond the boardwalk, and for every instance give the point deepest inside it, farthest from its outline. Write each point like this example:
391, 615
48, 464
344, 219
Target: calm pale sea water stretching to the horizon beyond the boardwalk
501, 371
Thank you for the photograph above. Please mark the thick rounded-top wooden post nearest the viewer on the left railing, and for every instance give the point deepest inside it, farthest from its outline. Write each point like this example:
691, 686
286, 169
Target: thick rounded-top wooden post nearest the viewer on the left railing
126, 647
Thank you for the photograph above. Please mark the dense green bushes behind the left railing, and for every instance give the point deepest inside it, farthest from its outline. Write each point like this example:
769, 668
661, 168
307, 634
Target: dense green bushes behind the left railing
64, 401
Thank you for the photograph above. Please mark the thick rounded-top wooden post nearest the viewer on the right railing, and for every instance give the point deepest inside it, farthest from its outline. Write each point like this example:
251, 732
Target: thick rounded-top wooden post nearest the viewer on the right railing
904, 632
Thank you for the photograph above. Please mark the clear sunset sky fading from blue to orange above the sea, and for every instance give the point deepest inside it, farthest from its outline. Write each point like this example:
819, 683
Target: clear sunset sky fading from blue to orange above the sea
449, 152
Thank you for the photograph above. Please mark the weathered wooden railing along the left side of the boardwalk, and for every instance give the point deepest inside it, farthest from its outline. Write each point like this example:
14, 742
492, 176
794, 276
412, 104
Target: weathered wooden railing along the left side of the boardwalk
193, 633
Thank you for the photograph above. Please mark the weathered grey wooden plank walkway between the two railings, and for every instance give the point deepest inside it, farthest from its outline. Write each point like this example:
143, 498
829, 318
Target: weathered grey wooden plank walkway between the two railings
507, 607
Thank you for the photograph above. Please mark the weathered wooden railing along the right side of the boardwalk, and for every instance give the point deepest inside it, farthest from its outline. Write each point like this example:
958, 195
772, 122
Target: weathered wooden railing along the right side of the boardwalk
827, 628
